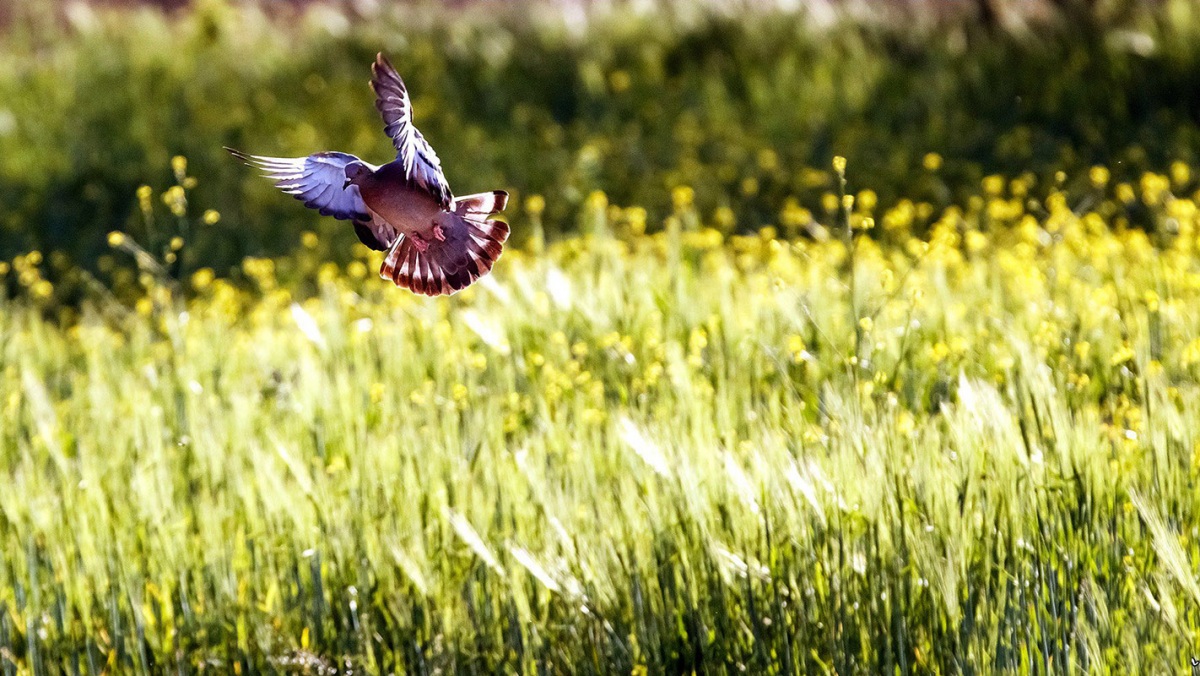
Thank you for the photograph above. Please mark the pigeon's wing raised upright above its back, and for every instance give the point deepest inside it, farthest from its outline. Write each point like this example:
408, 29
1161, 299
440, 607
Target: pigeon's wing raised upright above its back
421, 163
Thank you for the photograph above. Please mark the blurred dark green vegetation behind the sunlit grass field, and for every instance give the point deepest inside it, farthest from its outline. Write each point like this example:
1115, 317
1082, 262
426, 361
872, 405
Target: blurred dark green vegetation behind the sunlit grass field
743, 103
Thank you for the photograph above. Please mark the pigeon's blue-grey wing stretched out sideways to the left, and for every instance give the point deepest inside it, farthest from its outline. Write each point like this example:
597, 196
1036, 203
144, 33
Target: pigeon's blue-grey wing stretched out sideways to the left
319, 181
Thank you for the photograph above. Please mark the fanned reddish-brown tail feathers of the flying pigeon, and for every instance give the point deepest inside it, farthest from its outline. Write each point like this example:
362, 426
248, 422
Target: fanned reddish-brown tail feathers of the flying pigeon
469, 253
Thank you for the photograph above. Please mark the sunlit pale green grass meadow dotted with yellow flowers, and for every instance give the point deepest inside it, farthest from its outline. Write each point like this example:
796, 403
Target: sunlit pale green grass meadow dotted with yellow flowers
933, 421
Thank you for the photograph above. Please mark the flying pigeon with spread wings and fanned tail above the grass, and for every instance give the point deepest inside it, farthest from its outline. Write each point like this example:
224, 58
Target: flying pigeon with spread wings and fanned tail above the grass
437, 244
